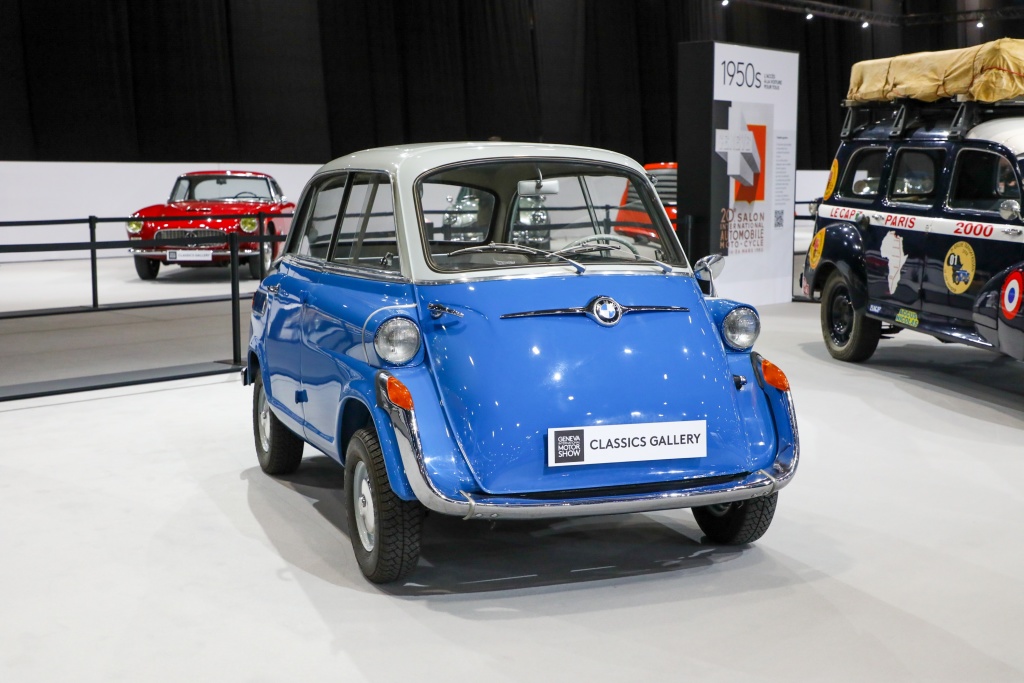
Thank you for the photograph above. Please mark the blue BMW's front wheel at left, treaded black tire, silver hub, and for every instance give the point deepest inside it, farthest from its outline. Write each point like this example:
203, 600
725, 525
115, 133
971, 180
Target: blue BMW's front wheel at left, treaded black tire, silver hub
385, 530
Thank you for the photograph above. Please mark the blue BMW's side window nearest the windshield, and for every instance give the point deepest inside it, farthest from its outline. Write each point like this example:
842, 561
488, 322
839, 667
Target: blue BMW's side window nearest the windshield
367, 236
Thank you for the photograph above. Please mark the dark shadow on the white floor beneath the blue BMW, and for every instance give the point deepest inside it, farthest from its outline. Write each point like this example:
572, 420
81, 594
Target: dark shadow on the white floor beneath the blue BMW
463, 558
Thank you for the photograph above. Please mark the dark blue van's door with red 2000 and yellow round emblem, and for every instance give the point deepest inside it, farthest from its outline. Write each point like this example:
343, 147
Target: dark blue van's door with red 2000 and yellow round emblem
972, 243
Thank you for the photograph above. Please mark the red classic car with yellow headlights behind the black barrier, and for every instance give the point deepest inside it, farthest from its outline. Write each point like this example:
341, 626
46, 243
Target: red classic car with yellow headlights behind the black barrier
219, 195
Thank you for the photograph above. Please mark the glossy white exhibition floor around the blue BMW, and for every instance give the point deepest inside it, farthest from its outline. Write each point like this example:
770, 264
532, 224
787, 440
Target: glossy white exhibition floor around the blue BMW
142, 543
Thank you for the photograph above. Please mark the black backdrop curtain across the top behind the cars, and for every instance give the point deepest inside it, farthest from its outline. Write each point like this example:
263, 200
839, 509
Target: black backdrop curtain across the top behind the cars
310, 80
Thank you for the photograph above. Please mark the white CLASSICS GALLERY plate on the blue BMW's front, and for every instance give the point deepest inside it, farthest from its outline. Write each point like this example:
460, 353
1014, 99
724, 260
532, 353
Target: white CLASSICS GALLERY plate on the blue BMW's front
624, 444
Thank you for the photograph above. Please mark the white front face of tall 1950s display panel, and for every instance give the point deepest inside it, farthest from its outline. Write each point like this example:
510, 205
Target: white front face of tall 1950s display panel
759, 90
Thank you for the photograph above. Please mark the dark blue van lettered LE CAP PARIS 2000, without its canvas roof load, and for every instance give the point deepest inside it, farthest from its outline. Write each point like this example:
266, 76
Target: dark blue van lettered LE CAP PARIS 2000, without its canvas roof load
921, 228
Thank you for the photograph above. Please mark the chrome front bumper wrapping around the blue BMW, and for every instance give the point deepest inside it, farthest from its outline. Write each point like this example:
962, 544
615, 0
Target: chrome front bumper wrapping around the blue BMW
483, 506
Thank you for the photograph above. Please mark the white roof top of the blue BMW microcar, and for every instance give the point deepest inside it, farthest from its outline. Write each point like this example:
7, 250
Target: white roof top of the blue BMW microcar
409, 161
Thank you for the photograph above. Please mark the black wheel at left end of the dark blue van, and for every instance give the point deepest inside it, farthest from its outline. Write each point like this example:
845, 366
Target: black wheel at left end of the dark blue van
849, 335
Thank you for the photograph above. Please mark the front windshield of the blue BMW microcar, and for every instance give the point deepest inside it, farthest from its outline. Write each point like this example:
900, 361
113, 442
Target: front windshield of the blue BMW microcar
509, 214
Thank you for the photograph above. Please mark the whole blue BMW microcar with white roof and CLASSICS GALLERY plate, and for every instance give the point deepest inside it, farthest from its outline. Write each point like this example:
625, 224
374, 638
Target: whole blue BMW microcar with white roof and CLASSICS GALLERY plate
468, 330
